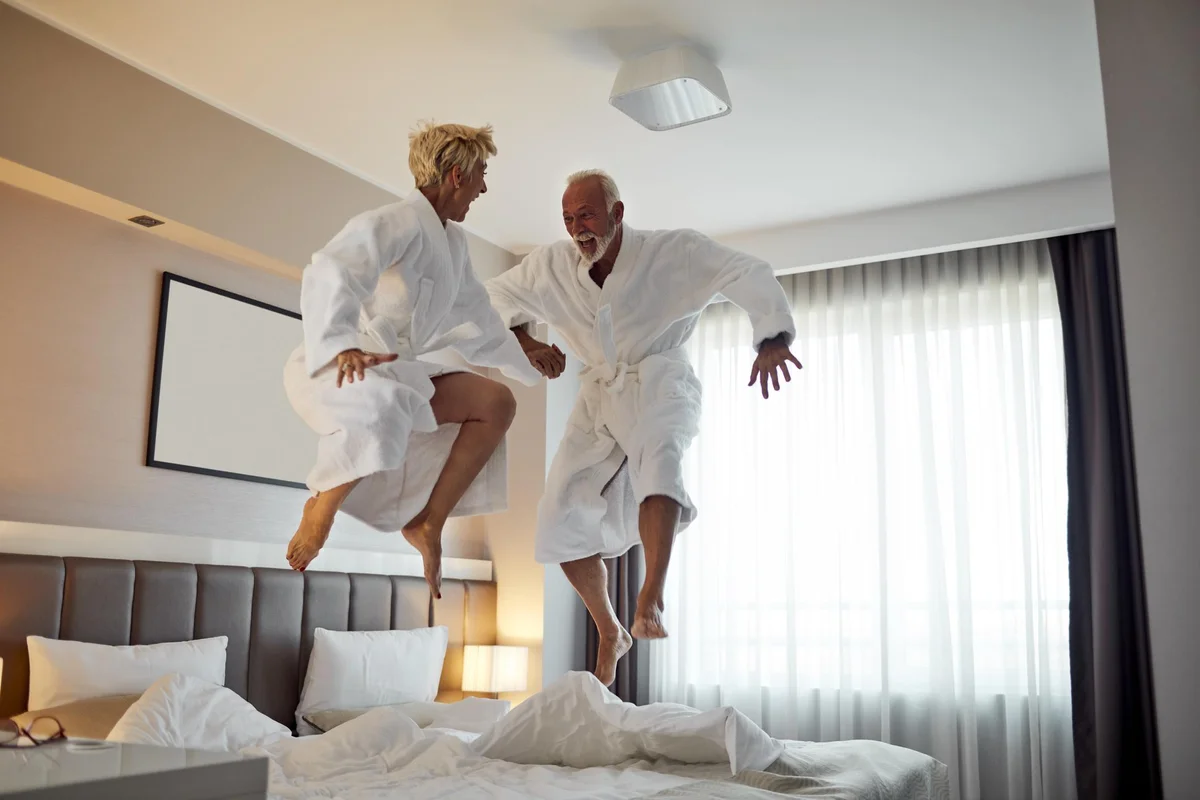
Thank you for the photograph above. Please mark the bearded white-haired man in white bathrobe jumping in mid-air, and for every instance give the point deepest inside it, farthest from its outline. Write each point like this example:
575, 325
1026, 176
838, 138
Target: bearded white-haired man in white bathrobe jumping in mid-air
627, 302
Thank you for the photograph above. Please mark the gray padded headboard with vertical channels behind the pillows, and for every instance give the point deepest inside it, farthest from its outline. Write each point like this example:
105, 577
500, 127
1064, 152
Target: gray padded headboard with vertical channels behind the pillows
268, 615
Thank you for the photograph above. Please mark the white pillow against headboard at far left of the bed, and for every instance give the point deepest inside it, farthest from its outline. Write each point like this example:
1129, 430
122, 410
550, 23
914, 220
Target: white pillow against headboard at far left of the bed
67, 672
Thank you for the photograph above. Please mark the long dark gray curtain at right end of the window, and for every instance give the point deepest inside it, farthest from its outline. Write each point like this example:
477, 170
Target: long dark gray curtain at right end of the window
1117, 742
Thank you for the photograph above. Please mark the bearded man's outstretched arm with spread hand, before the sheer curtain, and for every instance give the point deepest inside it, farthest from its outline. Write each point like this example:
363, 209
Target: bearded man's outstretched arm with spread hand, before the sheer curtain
751, 285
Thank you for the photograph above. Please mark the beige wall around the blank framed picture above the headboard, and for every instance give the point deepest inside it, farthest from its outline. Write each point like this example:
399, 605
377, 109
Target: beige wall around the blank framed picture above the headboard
79, 317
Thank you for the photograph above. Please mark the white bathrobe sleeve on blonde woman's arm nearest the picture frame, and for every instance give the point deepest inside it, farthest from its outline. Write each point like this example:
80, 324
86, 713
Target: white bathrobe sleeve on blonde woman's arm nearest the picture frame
344, 275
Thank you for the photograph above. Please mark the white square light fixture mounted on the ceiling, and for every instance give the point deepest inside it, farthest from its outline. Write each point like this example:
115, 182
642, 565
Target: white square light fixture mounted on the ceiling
670, 89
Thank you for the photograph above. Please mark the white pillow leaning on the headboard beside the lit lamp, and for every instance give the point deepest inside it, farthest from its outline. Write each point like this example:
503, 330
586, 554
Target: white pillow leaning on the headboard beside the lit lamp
359, 670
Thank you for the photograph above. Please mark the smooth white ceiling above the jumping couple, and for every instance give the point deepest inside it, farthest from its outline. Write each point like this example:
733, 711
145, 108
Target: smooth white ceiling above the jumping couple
838, 107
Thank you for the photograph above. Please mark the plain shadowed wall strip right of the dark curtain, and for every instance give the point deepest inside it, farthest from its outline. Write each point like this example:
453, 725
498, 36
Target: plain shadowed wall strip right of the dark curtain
1150, 59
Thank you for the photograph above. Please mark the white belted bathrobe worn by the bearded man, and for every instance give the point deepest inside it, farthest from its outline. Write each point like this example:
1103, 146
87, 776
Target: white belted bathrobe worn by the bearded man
640, 401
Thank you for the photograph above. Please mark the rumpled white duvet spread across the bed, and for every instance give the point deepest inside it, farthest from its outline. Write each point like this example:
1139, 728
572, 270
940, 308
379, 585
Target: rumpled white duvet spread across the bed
572, 741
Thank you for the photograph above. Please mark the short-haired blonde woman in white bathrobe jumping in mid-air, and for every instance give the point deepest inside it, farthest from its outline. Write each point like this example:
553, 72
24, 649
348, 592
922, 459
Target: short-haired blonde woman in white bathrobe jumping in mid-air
404, 440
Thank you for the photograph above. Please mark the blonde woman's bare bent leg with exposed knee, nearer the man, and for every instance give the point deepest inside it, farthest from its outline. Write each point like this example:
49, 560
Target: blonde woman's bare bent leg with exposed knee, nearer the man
485, 410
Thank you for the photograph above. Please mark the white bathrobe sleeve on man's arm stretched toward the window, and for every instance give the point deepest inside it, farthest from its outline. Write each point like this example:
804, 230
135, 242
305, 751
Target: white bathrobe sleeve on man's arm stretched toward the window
748, 282
